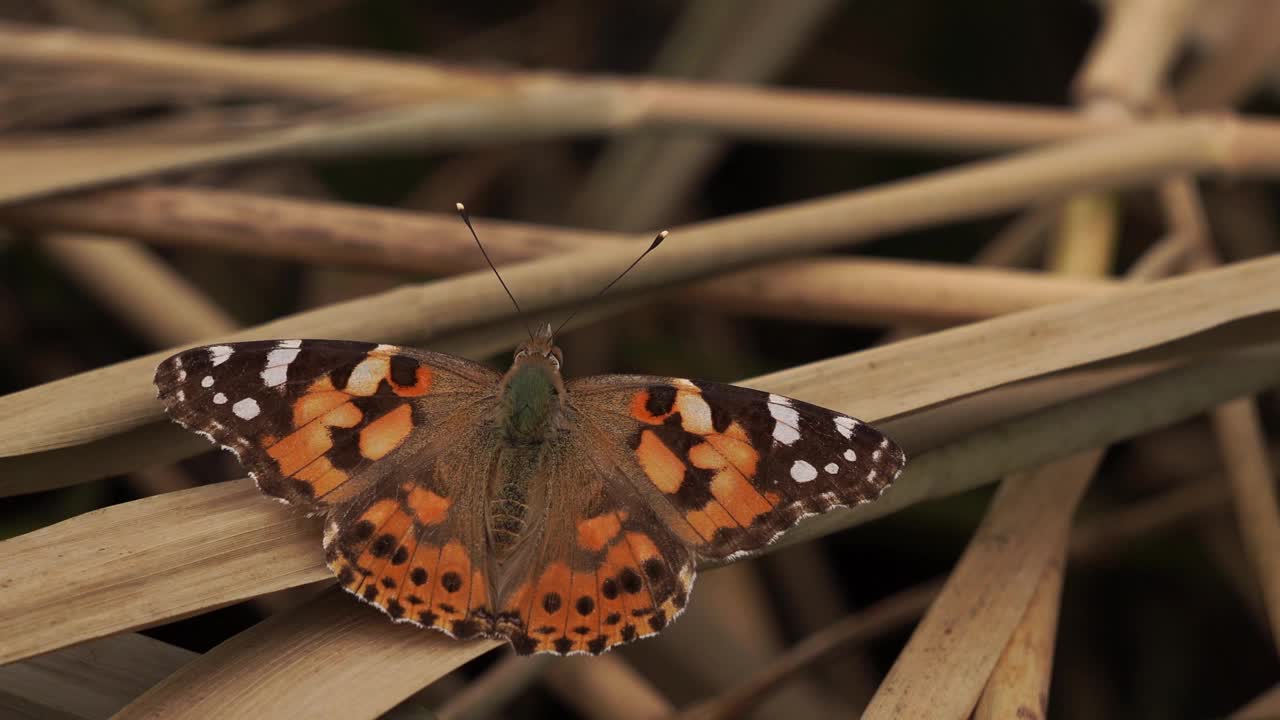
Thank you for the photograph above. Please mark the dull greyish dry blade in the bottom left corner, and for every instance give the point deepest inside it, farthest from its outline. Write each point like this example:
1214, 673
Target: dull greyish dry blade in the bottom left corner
88, 682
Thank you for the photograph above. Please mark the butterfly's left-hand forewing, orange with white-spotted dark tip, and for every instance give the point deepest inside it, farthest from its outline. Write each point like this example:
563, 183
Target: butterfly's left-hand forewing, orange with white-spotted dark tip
317, 422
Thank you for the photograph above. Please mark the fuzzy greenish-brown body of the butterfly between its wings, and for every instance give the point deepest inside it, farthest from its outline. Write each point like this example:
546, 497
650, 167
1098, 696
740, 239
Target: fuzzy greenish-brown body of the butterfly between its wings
531, 404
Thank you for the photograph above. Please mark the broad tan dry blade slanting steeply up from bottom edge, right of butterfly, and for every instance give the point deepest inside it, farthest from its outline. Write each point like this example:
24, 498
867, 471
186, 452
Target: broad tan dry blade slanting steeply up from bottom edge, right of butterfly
985, 596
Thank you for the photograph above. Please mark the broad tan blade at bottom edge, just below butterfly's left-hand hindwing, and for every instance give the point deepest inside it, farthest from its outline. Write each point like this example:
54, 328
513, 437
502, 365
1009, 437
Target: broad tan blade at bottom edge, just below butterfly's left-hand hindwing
259, 675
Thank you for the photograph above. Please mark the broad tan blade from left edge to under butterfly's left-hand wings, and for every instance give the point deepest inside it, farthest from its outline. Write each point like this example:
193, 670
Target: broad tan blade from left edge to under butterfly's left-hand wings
150, 562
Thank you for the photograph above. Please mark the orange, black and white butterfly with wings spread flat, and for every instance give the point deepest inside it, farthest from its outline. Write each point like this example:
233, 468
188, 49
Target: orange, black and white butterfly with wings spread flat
563, 517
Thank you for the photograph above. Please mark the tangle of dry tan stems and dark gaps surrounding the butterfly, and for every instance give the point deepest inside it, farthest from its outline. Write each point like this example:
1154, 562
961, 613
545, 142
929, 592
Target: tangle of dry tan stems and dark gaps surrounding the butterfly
1072, 322
